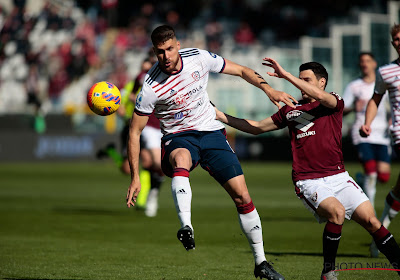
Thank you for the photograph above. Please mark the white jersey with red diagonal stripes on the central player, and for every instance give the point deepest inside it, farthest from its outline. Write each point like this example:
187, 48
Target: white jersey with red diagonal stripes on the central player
180, 100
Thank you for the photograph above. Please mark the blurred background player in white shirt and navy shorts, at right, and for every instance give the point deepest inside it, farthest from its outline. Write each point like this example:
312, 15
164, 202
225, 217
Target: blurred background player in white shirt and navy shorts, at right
373, 152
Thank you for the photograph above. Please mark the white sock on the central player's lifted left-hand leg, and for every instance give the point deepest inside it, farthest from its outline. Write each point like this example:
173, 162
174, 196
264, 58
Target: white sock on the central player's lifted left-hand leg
182, 195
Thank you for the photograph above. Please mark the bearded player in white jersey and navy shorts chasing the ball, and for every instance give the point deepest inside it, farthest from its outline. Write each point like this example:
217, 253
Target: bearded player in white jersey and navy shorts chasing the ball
175, 89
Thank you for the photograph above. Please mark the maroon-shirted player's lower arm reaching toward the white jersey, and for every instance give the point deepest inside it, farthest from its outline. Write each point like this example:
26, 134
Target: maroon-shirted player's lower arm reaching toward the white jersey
249, 126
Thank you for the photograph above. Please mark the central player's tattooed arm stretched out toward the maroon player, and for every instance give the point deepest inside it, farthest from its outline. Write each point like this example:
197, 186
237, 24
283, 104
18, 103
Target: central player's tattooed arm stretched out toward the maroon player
257, 80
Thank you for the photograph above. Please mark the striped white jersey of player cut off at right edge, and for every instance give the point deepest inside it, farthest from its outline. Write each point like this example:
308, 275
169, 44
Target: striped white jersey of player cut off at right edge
388, 78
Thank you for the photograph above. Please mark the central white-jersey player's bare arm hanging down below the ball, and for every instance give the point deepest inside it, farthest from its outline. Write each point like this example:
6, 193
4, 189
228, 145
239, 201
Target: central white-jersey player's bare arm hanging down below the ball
135, 129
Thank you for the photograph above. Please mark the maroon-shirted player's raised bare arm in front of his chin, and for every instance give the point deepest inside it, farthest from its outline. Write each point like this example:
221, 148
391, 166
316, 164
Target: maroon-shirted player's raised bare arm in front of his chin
322, 96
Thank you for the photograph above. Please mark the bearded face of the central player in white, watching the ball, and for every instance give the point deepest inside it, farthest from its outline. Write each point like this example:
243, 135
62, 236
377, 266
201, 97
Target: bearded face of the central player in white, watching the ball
168, 56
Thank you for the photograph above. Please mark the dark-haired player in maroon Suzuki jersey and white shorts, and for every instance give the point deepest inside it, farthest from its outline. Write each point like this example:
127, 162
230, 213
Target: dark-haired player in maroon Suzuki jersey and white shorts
319, 175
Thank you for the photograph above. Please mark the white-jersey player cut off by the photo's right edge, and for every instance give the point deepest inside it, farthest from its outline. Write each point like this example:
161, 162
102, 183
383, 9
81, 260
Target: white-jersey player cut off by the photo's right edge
388, 80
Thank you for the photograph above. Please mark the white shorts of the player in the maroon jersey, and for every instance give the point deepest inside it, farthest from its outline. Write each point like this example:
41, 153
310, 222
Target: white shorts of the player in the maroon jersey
340, 186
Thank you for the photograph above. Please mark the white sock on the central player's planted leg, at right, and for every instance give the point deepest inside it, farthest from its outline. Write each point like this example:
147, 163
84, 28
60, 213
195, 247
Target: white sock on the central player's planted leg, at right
251, 227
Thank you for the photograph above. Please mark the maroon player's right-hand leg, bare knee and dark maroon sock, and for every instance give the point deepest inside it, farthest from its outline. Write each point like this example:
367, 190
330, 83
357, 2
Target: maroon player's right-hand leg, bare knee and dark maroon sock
384, 240
